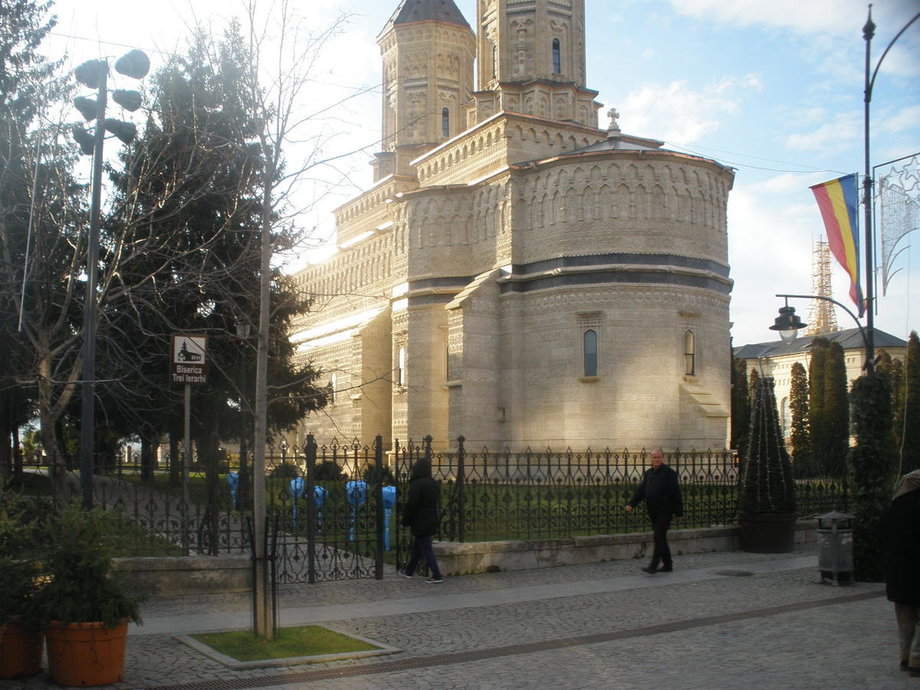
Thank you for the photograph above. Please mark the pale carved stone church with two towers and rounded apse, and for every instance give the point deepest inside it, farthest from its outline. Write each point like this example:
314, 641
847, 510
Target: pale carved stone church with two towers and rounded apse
516, 274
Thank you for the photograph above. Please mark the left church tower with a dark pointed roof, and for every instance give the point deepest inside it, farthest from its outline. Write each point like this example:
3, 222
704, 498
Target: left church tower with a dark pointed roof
428, 53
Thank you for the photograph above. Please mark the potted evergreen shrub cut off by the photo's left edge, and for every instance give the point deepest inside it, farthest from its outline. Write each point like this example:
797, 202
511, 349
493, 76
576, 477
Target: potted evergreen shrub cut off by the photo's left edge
20, 630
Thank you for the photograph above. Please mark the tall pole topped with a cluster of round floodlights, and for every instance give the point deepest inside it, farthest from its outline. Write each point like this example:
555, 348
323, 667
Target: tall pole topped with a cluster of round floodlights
94, 74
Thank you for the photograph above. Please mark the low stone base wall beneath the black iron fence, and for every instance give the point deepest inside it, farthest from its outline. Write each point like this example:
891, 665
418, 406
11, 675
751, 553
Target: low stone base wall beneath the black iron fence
178, 576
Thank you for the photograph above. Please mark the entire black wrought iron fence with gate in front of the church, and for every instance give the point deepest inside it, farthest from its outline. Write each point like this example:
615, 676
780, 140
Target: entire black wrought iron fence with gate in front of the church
486, 495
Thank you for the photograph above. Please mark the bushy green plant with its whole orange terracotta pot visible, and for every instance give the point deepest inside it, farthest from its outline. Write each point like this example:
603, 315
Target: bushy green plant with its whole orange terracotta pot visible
86, 610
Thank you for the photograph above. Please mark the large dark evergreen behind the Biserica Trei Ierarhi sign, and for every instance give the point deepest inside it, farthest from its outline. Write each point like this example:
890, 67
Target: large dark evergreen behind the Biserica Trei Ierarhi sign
191, 196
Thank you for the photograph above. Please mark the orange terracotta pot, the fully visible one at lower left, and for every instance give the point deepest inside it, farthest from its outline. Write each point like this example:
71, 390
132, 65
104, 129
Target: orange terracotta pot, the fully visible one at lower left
86, 653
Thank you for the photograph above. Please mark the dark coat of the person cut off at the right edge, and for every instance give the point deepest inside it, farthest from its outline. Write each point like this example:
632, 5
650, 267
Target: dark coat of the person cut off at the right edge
901, 537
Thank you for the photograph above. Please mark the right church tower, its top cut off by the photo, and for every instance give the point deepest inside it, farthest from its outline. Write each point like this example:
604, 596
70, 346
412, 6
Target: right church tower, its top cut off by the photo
532, 61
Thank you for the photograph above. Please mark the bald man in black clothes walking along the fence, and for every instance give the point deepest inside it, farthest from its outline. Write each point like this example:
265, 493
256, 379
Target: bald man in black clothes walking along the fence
660, 490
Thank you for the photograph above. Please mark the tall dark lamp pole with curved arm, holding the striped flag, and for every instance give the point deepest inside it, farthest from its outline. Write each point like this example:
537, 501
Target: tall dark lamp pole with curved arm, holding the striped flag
870, 75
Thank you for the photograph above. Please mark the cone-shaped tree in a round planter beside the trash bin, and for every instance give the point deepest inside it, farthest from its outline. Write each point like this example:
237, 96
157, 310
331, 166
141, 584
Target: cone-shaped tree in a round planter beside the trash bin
766, 506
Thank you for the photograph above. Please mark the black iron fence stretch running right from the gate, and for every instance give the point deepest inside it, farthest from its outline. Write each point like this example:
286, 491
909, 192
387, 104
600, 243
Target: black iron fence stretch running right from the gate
546, 494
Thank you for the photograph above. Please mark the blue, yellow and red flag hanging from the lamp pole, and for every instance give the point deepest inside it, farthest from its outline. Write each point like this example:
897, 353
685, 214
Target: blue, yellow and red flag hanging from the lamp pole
837, 201
